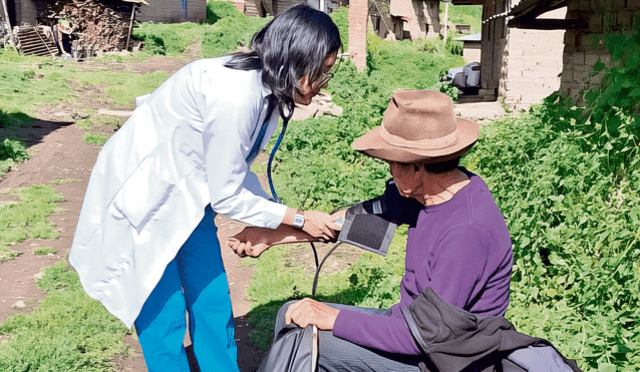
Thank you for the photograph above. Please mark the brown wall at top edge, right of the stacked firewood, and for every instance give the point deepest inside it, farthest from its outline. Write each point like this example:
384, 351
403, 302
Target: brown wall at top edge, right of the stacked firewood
173, 11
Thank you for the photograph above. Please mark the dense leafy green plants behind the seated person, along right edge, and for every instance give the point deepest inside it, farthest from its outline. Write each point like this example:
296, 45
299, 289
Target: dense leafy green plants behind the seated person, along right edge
566, 178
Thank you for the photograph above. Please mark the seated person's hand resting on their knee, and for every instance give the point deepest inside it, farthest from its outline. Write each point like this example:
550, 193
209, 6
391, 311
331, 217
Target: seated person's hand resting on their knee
308, 311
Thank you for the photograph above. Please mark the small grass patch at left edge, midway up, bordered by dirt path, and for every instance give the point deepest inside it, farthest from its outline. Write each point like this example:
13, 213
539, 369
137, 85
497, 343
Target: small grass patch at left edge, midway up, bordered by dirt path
27, 219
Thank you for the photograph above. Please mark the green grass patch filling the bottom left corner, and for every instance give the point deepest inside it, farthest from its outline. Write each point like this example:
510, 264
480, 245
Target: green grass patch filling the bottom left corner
68, 331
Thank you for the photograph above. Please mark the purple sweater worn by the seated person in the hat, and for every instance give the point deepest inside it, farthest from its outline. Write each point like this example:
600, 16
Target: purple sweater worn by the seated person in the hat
461, 249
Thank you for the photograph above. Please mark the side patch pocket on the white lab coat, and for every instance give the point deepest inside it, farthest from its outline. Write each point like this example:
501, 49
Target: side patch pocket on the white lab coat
143, 194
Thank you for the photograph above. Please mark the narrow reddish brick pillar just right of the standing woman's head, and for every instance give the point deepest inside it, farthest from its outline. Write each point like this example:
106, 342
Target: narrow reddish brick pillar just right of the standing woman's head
358, 14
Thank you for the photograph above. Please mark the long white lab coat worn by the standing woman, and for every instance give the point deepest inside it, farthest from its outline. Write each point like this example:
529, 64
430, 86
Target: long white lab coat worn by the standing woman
183, 147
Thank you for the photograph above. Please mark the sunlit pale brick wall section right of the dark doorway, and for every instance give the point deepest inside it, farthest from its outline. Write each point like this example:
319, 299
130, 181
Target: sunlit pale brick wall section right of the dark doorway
533, 62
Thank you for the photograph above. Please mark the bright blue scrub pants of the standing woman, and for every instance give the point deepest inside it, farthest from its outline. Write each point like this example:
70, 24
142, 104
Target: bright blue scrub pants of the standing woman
194, 281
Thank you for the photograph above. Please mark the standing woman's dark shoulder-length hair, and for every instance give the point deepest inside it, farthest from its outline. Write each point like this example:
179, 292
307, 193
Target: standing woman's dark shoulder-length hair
294, 43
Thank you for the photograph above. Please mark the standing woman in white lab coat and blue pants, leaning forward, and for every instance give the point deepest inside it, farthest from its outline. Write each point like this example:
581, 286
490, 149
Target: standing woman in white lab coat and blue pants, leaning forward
145, 243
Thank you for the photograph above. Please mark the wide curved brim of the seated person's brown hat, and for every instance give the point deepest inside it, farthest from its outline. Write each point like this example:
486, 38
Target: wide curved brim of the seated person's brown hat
372, 144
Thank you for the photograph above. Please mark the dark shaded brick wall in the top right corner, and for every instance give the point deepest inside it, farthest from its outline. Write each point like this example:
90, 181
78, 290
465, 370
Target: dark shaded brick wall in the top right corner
584, 47
